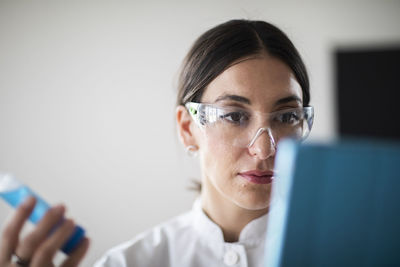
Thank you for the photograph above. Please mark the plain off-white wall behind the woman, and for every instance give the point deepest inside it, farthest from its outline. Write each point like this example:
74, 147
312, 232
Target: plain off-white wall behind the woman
87, 96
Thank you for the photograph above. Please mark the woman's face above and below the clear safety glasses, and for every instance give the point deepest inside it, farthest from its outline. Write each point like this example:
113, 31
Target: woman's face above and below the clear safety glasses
240, 174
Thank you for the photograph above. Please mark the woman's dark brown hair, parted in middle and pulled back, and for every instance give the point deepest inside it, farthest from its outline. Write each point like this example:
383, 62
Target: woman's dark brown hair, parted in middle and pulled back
216, 49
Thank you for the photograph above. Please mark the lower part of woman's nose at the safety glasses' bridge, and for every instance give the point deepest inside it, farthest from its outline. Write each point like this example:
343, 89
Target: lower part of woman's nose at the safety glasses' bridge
263, 144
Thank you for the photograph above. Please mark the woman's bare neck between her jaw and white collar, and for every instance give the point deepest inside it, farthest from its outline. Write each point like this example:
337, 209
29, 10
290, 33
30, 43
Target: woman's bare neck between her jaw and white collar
230, 217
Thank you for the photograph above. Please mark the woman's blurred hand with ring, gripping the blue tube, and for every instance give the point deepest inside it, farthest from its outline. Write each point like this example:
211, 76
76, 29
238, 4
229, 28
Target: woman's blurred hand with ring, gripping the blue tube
38, 248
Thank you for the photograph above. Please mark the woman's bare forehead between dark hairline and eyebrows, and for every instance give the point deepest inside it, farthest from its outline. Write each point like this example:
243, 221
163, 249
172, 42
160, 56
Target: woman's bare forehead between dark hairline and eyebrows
262, 79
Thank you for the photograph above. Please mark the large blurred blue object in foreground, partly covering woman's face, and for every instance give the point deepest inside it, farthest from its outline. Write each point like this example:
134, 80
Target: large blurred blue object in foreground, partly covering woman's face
335, 204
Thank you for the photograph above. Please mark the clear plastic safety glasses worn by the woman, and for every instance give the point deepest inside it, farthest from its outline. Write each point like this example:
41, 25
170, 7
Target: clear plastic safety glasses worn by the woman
241, 127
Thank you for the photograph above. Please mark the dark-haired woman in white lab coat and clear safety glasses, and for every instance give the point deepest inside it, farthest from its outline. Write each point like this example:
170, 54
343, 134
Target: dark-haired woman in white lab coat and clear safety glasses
243, 87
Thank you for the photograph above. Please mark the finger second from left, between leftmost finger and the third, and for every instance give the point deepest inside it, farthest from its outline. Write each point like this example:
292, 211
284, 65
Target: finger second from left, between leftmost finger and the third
32, 241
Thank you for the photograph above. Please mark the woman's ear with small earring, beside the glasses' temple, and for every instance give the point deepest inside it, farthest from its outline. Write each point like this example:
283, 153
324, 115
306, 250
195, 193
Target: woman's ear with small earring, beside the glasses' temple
185, 126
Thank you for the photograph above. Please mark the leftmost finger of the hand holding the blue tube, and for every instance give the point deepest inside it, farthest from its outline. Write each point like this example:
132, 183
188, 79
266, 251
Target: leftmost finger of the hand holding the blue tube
10, 236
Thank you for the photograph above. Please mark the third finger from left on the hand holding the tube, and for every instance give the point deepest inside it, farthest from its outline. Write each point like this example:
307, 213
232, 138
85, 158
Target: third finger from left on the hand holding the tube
47, 250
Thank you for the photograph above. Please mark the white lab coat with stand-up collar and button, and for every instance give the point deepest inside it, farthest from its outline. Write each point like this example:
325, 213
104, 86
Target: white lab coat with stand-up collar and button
191, 239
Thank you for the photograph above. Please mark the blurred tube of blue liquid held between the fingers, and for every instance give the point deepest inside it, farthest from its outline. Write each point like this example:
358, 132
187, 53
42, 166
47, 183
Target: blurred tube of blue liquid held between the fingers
14, 193
